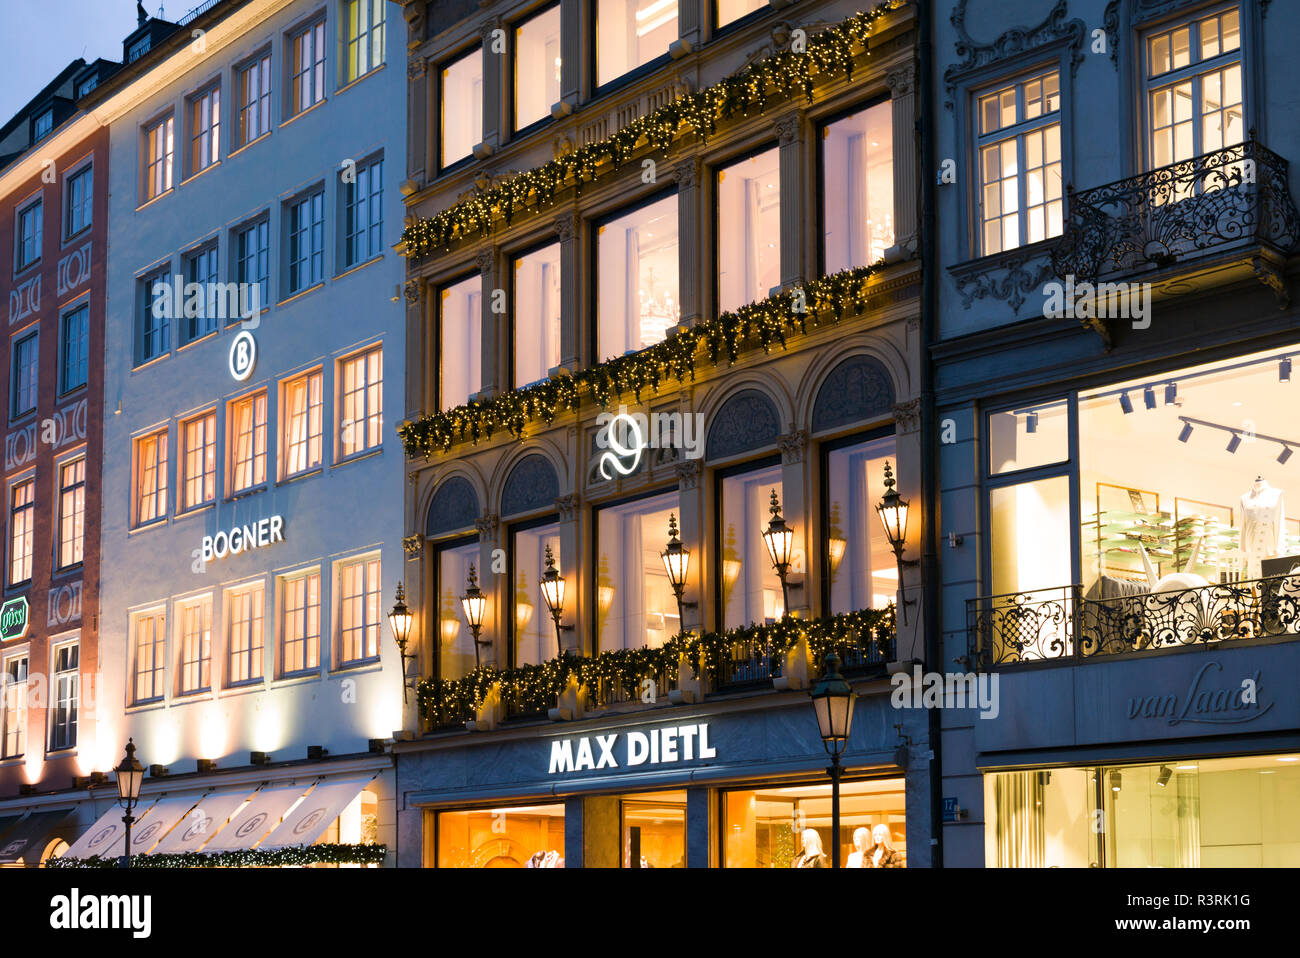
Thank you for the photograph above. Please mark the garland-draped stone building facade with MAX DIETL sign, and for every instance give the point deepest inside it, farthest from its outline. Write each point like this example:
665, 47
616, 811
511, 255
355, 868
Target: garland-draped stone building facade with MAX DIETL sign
662, 283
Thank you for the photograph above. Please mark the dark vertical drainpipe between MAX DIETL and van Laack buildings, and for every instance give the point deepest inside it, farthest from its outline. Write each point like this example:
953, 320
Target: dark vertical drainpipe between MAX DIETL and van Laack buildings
929, 418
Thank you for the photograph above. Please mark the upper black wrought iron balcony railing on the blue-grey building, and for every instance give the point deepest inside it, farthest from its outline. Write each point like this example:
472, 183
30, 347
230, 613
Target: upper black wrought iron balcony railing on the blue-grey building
1237, 196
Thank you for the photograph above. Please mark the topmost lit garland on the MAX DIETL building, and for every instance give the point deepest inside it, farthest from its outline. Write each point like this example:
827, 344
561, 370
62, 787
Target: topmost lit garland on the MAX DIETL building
829, 54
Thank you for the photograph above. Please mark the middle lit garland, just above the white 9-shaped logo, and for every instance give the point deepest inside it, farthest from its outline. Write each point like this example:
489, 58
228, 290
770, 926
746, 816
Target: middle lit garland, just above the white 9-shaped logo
764, 324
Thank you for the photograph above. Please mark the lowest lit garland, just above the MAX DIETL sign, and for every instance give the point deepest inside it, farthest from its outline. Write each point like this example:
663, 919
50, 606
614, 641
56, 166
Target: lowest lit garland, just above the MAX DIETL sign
534, 690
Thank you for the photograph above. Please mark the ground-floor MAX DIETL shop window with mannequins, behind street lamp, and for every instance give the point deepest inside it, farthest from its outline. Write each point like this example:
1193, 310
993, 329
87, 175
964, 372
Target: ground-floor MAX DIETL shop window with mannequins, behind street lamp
790, 827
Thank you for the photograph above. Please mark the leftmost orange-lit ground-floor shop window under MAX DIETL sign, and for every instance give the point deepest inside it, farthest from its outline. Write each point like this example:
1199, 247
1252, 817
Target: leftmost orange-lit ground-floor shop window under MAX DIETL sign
508, 838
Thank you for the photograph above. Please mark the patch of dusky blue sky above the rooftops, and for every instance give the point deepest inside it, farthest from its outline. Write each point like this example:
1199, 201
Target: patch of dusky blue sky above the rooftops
42, 37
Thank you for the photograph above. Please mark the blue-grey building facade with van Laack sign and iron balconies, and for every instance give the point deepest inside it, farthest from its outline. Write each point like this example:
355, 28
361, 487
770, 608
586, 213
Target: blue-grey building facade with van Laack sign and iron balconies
1113, 372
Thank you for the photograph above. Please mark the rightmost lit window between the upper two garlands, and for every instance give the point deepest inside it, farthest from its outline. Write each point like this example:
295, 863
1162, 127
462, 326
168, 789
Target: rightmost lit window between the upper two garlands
857, 189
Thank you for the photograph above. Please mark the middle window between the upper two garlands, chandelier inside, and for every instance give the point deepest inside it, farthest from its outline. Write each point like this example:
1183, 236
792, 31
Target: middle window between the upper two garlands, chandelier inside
638, 298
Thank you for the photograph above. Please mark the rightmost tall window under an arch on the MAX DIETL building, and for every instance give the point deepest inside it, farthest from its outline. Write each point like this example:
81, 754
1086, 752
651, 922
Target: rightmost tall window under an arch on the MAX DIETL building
860, 569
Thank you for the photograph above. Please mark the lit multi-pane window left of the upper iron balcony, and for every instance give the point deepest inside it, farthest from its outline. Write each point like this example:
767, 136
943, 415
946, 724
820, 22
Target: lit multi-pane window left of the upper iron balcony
1020, 158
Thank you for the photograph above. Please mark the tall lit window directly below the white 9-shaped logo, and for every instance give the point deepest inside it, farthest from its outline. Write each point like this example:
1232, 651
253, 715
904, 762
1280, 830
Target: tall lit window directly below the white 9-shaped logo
635, 604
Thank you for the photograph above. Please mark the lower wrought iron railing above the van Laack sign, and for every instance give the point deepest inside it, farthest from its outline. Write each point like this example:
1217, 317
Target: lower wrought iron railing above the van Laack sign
1055, 625
